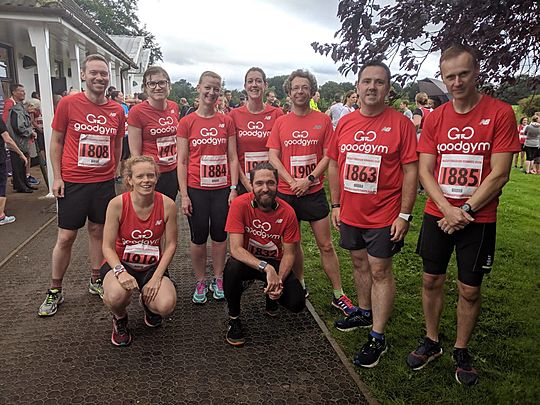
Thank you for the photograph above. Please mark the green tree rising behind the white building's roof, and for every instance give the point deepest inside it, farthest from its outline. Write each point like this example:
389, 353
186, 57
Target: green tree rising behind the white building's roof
119, 17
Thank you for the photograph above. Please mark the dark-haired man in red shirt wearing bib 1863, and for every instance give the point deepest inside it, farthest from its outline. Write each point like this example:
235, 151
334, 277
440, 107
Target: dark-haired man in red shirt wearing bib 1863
373, 176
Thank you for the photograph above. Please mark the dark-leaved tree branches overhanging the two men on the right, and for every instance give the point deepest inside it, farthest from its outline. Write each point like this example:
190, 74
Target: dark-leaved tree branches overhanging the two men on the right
505, 32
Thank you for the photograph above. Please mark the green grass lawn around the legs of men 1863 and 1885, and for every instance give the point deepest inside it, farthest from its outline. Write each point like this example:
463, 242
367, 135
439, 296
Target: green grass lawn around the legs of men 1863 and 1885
505, 342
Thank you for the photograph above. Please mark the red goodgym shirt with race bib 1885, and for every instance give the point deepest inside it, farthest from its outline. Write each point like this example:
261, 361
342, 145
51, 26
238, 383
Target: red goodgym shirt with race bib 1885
463, 144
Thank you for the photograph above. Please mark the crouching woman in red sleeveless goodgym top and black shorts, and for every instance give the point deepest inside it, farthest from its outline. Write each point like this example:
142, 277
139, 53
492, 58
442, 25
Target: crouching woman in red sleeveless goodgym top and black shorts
139, 241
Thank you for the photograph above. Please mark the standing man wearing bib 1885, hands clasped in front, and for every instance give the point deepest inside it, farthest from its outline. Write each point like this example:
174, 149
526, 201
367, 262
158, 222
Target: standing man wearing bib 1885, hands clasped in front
465, 151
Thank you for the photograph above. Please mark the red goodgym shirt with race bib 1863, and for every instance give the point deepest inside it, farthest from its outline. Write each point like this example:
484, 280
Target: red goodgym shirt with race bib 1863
370, 152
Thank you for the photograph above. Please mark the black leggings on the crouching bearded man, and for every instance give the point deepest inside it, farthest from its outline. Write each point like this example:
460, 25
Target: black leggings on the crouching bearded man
236, 272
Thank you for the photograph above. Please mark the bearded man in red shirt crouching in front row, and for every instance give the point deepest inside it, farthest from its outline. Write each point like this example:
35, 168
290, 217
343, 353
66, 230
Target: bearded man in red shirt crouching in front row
263, 233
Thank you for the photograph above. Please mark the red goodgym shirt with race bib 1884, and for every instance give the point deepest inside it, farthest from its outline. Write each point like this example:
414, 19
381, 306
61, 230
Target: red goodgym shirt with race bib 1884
208, 138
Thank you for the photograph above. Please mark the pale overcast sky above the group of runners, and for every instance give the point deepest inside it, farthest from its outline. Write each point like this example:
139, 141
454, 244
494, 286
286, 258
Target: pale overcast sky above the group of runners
229, 37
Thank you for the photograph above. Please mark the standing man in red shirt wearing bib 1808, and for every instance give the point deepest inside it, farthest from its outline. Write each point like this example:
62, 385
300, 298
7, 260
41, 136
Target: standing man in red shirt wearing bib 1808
86, 144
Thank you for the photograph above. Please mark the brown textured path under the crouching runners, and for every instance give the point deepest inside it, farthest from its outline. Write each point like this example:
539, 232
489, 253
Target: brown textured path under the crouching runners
68, 358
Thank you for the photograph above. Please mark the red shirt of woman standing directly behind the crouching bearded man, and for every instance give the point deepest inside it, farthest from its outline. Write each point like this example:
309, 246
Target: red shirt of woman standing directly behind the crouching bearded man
252, 131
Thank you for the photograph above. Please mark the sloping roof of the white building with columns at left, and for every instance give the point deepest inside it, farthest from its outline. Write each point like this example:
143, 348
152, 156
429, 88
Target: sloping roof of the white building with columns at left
69, 11
